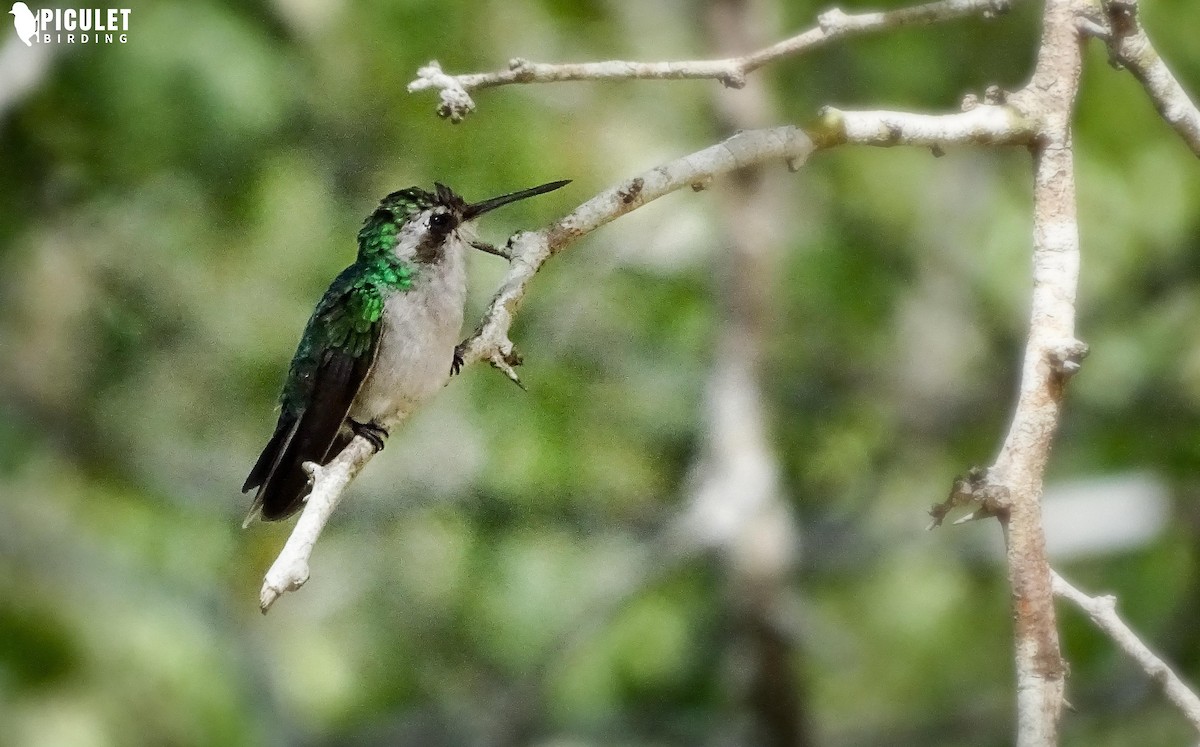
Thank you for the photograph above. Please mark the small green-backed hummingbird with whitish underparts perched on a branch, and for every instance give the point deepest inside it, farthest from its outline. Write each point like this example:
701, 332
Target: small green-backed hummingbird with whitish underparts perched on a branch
381, 342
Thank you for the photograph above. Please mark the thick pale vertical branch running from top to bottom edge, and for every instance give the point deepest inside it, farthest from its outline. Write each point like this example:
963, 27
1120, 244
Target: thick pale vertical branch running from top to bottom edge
1019, 469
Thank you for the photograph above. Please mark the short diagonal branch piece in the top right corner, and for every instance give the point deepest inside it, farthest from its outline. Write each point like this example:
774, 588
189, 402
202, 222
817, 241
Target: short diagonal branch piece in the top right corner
1131, 49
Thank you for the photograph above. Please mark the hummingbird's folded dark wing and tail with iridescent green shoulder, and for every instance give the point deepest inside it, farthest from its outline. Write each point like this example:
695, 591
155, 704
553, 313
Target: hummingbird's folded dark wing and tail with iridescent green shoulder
334, 360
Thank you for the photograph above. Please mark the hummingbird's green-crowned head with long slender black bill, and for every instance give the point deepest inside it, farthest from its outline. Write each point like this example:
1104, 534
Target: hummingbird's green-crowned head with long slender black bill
423, 226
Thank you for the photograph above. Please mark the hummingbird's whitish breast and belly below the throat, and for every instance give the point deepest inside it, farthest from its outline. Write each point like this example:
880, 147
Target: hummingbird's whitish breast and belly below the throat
422, 327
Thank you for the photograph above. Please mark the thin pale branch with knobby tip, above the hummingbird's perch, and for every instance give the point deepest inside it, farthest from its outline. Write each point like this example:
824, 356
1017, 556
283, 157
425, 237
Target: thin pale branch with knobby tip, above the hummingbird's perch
833, 25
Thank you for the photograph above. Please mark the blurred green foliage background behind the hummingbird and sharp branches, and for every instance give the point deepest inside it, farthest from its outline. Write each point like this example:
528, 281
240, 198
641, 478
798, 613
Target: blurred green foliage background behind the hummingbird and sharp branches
705, 523
